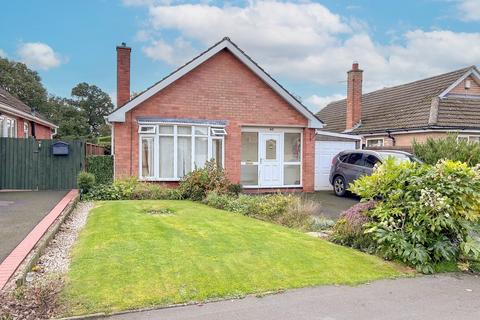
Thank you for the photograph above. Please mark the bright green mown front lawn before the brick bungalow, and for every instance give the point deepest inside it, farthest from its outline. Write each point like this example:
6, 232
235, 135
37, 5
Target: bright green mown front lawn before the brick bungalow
127, 258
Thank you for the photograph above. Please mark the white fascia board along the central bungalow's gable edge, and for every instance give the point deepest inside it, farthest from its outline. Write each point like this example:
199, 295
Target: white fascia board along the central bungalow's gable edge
119, 114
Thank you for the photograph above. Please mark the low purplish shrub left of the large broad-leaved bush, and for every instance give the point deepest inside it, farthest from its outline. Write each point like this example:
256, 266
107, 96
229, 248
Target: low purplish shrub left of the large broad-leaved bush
349, 230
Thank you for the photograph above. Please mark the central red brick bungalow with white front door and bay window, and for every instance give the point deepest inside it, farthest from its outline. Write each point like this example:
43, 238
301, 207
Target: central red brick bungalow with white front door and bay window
221, 105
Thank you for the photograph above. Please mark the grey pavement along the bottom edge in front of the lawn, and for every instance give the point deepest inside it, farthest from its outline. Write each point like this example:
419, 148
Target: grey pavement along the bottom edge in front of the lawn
448, 296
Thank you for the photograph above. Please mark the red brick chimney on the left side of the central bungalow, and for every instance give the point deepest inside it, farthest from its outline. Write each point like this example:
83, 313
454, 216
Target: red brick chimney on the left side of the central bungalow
123, 74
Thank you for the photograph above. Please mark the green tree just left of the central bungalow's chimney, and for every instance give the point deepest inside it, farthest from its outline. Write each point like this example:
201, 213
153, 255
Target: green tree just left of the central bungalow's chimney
94, 103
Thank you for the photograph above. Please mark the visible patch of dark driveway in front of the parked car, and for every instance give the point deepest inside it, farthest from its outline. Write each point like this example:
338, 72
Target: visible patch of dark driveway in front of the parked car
331, 205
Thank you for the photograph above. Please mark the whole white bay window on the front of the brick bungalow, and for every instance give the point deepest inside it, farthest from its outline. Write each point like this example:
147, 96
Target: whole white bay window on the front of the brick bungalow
177, 149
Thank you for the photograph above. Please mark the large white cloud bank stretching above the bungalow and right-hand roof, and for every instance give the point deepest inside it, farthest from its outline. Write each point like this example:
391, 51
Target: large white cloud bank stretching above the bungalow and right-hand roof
306, 41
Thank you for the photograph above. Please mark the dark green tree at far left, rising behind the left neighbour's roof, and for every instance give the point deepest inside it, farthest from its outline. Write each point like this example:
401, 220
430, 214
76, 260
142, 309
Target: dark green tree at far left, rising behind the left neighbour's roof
23, 83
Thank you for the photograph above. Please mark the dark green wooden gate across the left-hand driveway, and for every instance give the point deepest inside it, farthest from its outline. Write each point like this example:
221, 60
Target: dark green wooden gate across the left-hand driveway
30, 164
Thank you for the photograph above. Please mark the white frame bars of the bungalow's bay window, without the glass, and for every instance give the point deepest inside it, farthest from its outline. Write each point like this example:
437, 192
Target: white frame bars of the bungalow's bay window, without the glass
175, 134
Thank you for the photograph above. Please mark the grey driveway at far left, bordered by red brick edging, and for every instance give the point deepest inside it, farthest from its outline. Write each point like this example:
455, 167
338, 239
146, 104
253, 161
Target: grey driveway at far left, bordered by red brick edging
20, 211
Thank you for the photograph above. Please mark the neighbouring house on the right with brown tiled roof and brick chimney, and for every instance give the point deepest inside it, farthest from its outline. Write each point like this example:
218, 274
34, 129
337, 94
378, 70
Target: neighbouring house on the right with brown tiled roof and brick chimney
396, 116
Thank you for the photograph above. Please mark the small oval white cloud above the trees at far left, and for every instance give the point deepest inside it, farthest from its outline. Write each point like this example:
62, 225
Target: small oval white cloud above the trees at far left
39, 55
